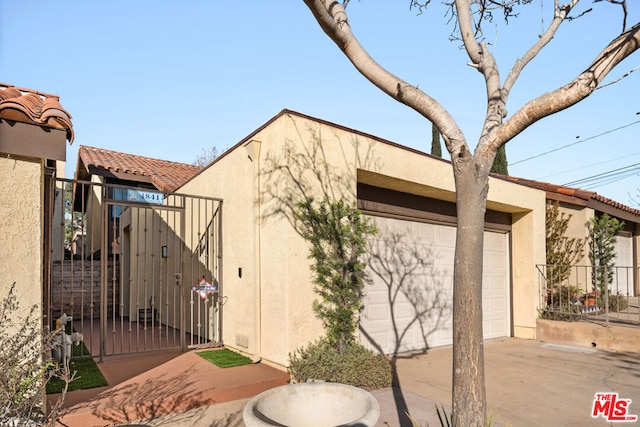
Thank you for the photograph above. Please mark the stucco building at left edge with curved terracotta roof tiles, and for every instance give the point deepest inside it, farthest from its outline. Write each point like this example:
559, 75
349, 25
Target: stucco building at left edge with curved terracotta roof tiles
34, 130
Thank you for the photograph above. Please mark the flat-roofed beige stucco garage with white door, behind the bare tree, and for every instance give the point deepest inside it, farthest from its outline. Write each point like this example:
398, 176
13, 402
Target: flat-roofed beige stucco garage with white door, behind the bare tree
410, 196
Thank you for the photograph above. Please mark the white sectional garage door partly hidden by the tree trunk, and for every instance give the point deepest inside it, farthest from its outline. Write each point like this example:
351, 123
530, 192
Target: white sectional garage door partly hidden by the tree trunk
408, 296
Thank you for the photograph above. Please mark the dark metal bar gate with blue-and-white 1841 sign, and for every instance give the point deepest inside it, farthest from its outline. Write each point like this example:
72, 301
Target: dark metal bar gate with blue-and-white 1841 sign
136, 269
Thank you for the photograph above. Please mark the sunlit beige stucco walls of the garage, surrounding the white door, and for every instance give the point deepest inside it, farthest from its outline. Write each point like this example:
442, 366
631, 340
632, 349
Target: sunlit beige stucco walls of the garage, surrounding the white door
267, 311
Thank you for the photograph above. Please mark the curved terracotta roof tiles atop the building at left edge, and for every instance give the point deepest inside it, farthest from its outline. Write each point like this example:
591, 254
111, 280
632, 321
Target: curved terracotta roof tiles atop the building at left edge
32, 107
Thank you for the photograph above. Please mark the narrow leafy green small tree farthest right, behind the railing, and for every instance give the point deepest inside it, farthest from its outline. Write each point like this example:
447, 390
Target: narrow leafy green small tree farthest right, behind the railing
602, 233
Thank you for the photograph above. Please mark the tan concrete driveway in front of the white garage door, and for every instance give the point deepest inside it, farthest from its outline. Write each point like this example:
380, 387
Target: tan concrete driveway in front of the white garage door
530, 383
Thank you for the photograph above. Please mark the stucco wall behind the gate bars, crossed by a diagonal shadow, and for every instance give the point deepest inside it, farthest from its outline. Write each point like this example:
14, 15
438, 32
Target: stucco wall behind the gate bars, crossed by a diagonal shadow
149, 278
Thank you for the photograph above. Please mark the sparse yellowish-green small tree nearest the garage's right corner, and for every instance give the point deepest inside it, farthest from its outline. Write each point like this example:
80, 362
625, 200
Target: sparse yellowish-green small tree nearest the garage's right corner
562, 251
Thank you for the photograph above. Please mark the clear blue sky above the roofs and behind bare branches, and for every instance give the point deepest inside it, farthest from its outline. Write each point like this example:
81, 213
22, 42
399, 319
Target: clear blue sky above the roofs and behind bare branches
169, 79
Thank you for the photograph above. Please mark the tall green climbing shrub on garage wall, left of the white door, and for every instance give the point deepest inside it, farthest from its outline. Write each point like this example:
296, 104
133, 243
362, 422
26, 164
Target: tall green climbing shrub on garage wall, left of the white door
337, 233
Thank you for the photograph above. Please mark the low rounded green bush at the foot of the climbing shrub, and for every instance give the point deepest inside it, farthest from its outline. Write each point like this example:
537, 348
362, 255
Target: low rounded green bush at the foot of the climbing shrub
356, 366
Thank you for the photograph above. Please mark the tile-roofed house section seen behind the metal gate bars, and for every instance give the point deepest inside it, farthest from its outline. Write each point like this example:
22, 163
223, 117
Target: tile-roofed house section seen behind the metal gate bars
147, 247
